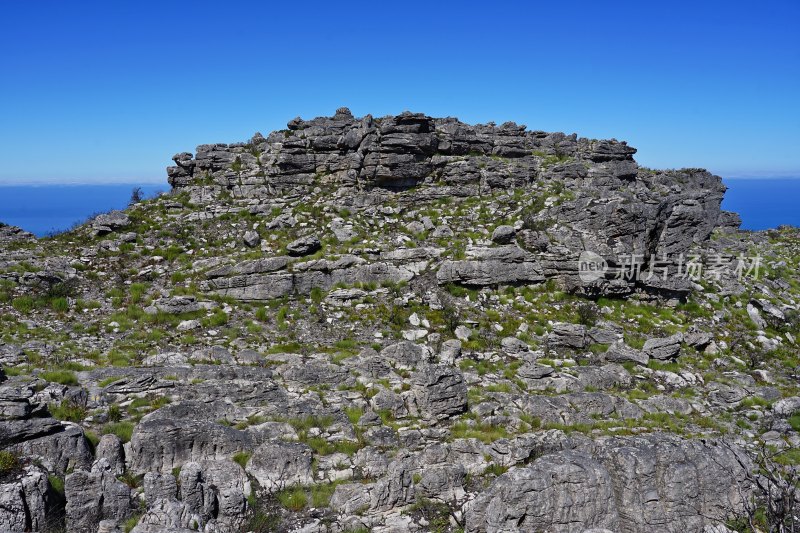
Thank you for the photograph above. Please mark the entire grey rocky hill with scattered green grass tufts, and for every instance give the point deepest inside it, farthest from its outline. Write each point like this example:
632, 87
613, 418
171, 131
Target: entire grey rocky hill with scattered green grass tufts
403, 324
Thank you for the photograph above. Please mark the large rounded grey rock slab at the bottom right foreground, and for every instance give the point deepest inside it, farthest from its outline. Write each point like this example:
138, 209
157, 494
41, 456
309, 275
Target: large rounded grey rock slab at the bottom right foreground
620, 484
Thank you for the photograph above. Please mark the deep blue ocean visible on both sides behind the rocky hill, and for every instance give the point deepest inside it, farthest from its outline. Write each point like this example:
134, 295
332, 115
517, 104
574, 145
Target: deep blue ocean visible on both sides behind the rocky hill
42, 209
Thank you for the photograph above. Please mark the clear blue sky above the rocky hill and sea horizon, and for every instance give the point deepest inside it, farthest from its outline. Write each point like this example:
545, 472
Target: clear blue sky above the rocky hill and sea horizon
109, 91
